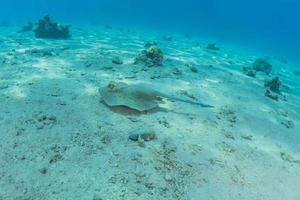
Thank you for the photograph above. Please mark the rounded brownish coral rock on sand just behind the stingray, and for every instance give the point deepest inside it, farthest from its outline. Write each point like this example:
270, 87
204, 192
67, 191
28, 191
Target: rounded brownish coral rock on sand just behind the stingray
152, 56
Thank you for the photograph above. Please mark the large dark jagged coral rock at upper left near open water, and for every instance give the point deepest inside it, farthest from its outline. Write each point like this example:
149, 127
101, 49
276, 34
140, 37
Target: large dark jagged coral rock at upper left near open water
51, 30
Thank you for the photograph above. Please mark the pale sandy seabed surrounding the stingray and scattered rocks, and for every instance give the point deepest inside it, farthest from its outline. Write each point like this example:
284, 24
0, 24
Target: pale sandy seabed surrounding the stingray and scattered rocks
59, 141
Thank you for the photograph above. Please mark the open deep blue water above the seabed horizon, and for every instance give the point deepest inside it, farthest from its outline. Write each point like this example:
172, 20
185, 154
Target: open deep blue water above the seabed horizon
269, 25
